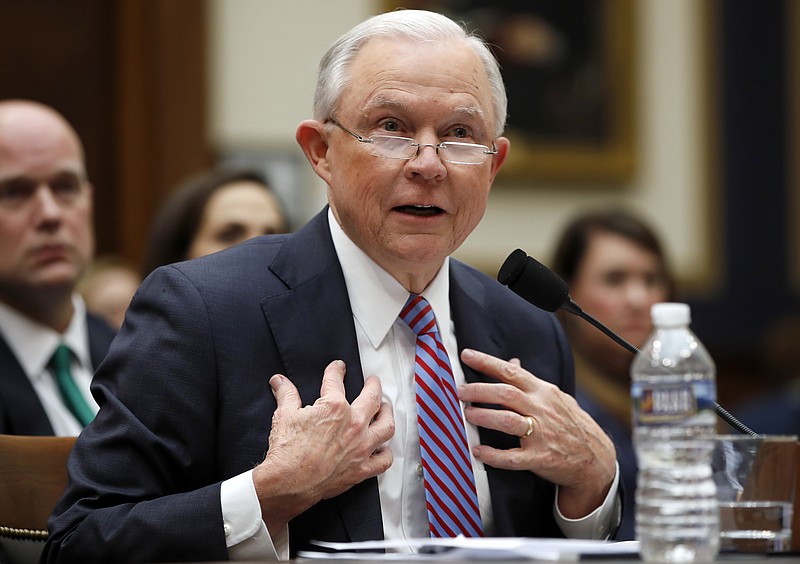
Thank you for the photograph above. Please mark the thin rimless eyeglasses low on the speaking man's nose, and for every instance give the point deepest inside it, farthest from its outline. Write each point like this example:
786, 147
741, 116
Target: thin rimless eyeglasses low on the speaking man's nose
404, 148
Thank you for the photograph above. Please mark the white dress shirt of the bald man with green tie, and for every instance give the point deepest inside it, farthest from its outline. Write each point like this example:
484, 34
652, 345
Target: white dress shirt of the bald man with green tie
34, 344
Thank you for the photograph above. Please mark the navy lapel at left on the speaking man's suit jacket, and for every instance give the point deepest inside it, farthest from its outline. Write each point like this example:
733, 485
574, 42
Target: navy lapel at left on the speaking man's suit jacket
313, 324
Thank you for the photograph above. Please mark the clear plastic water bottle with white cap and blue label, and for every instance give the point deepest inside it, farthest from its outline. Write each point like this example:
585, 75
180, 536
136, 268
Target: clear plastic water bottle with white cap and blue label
674, 393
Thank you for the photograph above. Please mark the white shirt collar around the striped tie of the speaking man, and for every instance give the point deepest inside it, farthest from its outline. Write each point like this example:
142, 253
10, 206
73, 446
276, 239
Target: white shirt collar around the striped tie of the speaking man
376, 297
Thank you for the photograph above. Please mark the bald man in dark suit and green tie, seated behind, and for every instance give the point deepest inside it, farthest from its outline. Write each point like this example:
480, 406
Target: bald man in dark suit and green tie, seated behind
46, 242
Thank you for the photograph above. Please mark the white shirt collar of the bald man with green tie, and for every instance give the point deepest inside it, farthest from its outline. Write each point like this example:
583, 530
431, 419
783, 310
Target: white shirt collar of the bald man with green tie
33, 343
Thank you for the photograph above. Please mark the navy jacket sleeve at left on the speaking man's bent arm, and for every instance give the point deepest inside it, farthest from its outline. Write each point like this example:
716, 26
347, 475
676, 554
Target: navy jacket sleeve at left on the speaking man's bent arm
144, 484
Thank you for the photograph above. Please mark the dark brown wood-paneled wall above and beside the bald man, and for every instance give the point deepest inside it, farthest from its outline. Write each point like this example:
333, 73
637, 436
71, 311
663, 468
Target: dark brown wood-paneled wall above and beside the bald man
131, 77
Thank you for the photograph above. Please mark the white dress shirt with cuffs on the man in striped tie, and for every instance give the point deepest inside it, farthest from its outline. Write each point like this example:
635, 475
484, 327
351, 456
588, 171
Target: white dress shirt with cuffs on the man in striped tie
387, 349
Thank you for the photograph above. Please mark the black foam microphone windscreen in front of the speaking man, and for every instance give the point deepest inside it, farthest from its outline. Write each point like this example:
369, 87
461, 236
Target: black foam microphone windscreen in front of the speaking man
533, 281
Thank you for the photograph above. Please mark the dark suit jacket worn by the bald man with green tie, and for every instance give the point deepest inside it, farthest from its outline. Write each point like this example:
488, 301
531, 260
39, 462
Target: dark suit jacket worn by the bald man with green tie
21, 412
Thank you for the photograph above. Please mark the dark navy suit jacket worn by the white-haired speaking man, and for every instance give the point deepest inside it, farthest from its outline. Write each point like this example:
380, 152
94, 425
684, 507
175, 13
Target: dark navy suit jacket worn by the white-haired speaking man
185, 400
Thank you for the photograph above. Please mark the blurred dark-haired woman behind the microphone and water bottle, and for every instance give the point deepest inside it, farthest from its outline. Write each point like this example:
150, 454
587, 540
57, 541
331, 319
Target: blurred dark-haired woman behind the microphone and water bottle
616, 270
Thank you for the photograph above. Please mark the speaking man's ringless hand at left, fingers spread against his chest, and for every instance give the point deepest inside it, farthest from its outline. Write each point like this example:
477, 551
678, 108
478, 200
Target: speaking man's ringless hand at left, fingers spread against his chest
321, 450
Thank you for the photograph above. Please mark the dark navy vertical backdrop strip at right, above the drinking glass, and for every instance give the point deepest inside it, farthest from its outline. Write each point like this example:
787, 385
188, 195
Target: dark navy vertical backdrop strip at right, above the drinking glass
753, 195
